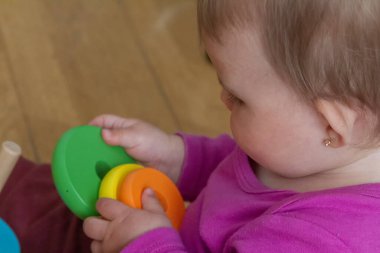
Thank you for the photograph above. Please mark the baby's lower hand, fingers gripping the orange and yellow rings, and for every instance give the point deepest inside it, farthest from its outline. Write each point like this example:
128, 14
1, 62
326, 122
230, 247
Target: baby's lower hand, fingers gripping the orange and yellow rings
121, 224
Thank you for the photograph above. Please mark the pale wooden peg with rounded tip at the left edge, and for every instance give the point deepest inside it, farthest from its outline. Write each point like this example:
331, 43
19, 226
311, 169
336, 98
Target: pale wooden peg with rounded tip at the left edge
9, 155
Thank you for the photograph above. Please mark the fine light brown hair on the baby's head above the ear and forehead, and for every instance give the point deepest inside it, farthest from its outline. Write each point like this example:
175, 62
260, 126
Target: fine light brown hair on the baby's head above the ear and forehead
326, 49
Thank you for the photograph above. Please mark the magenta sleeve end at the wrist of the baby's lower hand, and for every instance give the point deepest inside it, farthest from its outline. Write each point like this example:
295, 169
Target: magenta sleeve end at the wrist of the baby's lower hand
160, 240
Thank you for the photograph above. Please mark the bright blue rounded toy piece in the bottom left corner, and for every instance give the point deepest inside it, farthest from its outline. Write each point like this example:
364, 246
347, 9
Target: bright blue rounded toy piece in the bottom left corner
8, 239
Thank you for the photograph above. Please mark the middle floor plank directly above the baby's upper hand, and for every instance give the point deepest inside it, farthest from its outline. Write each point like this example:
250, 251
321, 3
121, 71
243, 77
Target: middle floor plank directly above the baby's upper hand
98, 52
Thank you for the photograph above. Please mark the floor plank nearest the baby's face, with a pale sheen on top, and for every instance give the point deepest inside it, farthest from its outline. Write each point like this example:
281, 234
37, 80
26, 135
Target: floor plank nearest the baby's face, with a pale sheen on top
167, 33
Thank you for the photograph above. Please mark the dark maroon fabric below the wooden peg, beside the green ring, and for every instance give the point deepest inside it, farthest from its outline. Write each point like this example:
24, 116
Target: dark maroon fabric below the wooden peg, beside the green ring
30, 204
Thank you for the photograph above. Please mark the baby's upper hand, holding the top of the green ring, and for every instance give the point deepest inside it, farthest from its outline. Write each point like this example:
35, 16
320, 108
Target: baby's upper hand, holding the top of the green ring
144, 142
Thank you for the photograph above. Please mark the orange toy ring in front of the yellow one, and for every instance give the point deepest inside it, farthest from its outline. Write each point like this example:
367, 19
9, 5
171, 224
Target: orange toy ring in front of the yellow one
137, 181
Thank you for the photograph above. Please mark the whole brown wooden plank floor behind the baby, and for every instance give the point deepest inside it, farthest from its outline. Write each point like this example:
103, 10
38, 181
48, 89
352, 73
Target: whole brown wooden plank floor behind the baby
62, 62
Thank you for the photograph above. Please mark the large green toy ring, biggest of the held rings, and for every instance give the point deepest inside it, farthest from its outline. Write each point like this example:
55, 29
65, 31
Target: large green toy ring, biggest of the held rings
80, 161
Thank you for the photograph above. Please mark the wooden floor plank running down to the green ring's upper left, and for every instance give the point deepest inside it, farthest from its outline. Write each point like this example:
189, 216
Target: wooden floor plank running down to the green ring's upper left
47, 103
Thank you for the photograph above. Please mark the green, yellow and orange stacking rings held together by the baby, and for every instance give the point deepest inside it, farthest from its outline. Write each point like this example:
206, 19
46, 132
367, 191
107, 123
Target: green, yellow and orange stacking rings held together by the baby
82, 172
